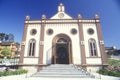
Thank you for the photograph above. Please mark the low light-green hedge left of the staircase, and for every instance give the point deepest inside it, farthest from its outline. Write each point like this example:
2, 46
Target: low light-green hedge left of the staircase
16, 72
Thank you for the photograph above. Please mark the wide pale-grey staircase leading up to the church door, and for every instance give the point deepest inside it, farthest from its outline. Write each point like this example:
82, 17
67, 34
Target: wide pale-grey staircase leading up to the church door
63, 71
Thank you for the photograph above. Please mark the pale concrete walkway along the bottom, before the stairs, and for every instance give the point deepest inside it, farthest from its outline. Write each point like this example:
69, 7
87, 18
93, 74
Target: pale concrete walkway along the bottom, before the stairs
27, 77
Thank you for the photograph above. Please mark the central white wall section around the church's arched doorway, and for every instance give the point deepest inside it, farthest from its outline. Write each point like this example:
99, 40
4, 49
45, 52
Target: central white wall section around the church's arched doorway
64, 29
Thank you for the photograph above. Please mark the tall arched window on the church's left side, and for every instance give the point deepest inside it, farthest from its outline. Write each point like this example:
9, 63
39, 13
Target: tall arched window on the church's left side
32, 47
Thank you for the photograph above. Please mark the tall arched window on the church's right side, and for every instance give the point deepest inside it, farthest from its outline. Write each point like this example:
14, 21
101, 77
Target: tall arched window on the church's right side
92, 47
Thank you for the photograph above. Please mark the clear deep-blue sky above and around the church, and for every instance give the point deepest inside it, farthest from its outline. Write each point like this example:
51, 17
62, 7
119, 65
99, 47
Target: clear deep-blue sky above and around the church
13, 12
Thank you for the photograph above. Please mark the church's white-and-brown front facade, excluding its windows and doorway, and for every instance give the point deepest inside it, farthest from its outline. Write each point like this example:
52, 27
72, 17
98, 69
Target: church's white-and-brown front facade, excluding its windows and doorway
62, 23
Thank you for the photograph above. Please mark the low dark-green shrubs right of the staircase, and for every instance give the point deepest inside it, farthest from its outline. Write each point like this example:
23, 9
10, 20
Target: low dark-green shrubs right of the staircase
109, 72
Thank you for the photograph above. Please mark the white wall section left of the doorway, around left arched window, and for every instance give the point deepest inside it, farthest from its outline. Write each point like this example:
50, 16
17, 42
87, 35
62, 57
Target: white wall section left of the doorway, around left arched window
37, 38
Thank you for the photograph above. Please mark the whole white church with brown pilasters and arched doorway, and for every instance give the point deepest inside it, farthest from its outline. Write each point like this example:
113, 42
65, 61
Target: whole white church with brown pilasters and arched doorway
62, 39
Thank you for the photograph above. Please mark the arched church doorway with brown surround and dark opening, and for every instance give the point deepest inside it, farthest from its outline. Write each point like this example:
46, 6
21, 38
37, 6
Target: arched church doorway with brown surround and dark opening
61, 50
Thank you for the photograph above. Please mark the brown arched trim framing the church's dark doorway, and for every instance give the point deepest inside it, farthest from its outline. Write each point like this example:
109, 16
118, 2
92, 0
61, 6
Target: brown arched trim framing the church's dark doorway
54, 42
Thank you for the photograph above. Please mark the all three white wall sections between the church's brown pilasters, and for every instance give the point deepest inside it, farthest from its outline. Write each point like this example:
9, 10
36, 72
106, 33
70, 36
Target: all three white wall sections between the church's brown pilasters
62, 29
